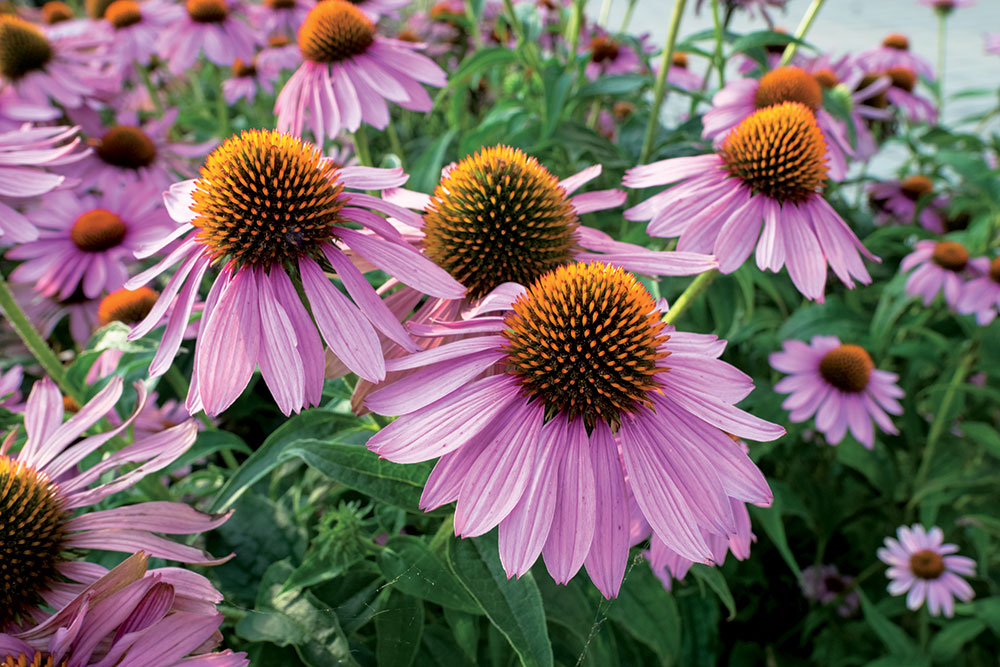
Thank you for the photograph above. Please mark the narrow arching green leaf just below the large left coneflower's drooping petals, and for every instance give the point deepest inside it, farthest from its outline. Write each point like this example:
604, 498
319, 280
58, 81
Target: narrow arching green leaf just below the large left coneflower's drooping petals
310, 424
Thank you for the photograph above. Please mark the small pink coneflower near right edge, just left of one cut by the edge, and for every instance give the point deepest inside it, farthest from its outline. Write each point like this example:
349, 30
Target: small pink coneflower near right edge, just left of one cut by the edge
940, 266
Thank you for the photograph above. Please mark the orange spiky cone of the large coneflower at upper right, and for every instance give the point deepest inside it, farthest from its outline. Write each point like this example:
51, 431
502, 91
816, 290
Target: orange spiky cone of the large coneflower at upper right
779, 152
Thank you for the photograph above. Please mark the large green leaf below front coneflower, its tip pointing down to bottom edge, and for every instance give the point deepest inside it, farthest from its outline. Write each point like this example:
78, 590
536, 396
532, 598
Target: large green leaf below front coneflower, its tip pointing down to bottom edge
514, 606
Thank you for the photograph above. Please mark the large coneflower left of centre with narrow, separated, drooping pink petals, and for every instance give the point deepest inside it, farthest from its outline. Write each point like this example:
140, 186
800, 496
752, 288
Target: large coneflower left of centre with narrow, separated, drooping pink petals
266, 207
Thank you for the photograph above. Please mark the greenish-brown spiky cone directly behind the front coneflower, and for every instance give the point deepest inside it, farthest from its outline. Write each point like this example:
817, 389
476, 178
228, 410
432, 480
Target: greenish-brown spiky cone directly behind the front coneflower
499, 216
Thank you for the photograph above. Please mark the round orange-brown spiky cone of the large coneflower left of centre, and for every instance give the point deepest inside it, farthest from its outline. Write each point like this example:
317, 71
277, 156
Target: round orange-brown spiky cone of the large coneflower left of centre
264, 197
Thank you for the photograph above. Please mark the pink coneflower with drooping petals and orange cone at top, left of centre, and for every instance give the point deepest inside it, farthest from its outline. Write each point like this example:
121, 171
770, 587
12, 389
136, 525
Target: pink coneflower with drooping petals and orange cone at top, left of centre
348, 74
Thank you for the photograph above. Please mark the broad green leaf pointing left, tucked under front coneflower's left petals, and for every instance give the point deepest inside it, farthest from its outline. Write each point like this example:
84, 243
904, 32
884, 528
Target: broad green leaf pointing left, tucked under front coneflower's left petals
361, 469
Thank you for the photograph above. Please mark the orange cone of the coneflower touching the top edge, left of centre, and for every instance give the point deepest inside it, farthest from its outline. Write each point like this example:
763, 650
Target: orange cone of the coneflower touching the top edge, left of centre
335, 30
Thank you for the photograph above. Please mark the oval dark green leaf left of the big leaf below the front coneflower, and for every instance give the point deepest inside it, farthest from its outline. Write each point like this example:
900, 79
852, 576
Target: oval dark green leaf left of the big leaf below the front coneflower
411, 566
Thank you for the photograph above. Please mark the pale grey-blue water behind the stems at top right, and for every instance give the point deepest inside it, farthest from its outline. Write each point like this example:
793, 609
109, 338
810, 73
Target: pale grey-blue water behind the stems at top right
849, 26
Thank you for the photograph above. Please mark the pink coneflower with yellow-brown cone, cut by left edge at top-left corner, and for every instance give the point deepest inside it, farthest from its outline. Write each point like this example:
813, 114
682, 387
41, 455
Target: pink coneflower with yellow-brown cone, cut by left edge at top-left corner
46, 70
